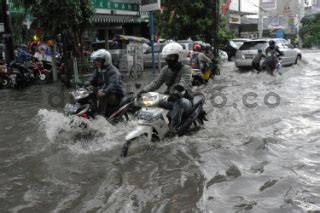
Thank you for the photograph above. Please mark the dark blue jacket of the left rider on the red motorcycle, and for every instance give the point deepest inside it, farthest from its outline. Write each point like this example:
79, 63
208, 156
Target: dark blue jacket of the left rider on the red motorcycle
109, 80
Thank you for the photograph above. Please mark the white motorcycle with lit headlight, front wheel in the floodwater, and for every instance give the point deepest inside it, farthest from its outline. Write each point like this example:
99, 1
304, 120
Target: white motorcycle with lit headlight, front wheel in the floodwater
153, 121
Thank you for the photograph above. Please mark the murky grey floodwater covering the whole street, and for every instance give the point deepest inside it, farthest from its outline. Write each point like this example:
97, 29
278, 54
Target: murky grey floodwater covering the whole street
259, 152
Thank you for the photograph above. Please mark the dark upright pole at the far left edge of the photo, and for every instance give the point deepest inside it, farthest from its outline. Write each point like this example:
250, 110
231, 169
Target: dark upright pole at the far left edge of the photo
7, 36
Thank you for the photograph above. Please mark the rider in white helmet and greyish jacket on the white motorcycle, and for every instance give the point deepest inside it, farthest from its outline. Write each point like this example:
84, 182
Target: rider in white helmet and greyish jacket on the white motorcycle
178, 78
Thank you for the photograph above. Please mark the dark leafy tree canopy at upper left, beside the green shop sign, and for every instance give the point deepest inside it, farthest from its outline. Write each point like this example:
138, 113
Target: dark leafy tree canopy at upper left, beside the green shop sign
54, 17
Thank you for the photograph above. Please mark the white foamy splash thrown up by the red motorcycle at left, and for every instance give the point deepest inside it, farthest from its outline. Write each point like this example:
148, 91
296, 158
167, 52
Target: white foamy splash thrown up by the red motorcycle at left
100, 135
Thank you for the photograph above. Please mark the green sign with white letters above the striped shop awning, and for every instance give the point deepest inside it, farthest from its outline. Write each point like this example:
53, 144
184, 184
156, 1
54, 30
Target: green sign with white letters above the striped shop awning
107, 4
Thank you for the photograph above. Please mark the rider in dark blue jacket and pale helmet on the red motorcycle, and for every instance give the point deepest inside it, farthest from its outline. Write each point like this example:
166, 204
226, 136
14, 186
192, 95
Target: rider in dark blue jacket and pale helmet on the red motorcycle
108, 78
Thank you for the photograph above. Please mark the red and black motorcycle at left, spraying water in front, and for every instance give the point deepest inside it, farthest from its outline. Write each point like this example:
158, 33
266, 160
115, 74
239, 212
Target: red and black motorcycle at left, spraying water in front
84, 106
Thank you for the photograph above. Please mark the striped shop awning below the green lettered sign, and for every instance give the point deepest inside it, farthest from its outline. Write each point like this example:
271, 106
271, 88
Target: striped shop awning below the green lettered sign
103, 18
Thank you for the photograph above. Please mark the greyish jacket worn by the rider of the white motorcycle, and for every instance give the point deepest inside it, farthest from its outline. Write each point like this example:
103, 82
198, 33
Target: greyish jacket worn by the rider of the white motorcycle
183, 78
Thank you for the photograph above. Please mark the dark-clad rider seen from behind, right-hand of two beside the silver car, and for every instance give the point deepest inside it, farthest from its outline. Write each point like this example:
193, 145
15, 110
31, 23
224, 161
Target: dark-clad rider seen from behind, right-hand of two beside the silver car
272, 57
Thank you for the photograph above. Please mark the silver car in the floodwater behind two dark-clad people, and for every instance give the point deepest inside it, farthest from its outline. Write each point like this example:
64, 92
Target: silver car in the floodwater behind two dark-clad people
249, 49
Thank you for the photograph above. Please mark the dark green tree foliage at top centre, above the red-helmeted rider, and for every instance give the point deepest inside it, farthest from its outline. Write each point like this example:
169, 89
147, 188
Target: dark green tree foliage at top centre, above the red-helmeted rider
183, 19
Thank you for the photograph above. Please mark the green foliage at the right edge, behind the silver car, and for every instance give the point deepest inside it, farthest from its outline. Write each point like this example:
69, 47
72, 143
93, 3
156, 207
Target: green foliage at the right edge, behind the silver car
310, 32
